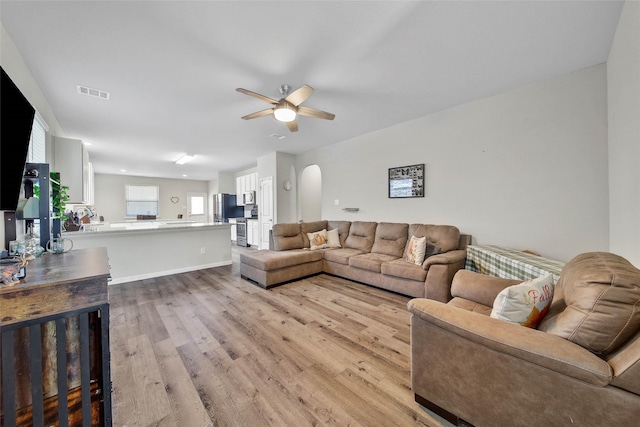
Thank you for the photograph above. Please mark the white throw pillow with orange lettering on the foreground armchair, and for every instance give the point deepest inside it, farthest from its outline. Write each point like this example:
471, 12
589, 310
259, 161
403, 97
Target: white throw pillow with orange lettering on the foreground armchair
526, 303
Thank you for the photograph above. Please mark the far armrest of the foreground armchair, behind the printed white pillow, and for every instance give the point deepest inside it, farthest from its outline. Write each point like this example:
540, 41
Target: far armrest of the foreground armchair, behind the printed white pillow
479, 288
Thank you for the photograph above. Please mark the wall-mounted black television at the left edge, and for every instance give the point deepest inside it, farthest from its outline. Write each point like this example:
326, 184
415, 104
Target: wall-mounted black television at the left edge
16, 120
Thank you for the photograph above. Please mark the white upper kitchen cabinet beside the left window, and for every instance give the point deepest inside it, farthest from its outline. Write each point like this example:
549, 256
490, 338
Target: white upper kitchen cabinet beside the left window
71, 159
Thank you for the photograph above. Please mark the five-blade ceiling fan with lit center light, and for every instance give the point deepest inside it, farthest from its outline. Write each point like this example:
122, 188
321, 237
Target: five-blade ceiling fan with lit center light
286, 108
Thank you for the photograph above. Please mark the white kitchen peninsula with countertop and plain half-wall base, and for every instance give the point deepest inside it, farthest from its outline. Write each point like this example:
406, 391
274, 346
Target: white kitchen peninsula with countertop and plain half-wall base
152, 248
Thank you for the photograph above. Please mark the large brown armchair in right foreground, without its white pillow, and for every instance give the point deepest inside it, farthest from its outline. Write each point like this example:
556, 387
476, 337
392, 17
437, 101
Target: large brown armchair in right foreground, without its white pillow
581, 367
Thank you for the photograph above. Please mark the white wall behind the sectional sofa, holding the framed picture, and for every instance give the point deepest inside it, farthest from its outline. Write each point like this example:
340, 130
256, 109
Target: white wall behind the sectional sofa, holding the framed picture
525, 169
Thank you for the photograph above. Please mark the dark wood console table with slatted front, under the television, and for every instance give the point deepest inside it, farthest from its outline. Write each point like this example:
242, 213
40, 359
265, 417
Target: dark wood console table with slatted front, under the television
55, 342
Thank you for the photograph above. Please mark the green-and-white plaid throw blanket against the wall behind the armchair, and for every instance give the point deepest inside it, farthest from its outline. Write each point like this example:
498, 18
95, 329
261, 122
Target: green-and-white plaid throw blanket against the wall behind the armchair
510, 263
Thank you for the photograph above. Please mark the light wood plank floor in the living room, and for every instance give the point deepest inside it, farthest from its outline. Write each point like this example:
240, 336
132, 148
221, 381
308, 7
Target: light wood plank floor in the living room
207, 348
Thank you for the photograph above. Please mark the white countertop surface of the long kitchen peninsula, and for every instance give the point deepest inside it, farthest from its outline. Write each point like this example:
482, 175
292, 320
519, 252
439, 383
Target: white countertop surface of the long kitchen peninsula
143, 225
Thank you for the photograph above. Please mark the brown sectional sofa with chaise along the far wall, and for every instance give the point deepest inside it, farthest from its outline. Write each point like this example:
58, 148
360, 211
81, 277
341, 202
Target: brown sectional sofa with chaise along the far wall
370, 252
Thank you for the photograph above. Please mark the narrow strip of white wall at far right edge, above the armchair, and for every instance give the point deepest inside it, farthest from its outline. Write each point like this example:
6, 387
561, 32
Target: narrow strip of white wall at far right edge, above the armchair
623, 73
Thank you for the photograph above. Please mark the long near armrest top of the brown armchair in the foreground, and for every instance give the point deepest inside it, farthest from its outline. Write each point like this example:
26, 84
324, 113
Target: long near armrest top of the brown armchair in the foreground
528, 345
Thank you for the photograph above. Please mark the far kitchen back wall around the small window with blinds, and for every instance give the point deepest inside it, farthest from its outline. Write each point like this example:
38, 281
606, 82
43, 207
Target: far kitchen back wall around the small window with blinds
110, 194
